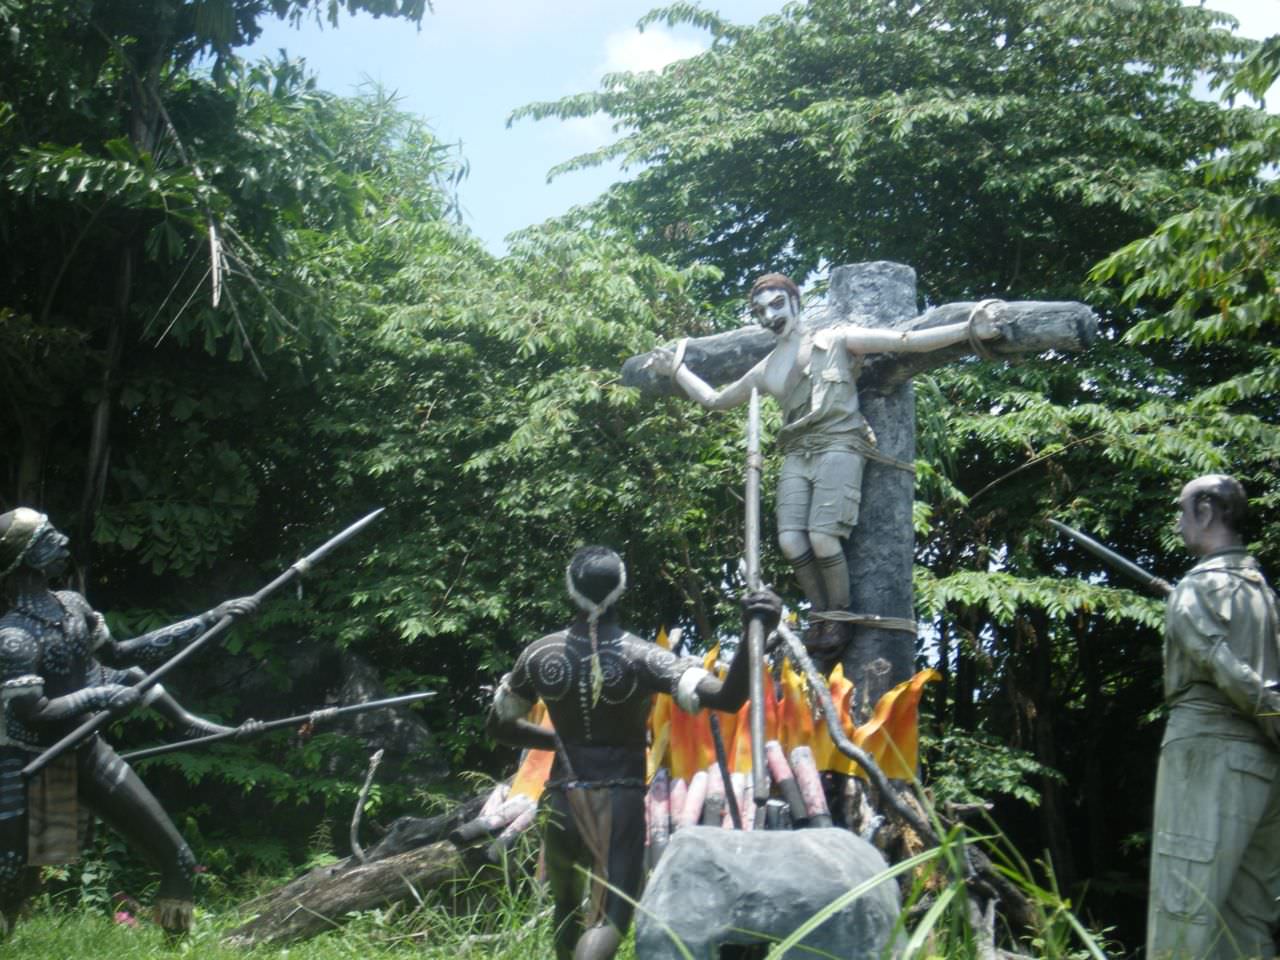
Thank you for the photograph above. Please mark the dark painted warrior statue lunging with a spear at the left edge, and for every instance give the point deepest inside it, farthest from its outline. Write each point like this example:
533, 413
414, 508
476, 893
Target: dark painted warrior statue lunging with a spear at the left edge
58, 665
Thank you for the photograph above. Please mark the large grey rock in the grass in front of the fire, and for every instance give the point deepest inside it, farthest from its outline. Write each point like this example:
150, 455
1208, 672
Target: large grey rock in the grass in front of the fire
714, 888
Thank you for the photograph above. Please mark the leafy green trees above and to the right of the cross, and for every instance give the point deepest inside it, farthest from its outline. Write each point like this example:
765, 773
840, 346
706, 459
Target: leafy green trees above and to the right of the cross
1002, 149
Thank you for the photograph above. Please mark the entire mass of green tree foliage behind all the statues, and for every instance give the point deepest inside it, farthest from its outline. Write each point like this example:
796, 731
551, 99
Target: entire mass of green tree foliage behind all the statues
365, 351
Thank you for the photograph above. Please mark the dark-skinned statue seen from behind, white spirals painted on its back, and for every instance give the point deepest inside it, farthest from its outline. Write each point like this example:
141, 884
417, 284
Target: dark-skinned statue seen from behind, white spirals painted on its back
597, 682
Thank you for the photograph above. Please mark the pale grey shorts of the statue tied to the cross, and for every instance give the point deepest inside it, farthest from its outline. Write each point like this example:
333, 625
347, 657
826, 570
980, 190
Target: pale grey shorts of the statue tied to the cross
820, 492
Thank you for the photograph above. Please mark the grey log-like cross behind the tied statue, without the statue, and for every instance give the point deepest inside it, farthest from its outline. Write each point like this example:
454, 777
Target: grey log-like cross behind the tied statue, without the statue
881, 548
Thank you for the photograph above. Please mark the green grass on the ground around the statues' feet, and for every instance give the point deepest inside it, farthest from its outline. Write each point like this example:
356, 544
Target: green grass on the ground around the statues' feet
516, 926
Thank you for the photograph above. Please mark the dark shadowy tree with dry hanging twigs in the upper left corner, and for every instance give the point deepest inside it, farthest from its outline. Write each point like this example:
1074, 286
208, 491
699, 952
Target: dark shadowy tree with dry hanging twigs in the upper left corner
109, 179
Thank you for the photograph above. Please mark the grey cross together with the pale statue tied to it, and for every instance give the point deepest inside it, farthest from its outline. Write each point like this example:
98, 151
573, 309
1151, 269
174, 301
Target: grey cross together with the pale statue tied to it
872, 328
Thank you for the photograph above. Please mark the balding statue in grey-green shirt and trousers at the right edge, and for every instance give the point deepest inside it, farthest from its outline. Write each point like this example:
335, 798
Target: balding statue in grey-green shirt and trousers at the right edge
1215, 865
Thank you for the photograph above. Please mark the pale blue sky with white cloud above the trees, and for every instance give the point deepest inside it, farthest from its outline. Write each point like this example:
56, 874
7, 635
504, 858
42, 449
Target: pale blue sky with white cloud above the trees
477, 61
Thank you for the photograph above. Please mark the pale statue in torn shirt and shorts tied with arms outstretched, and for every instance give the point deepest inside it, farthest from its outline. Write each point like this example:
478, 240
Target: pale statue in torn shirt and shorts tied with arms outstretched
825, 438
